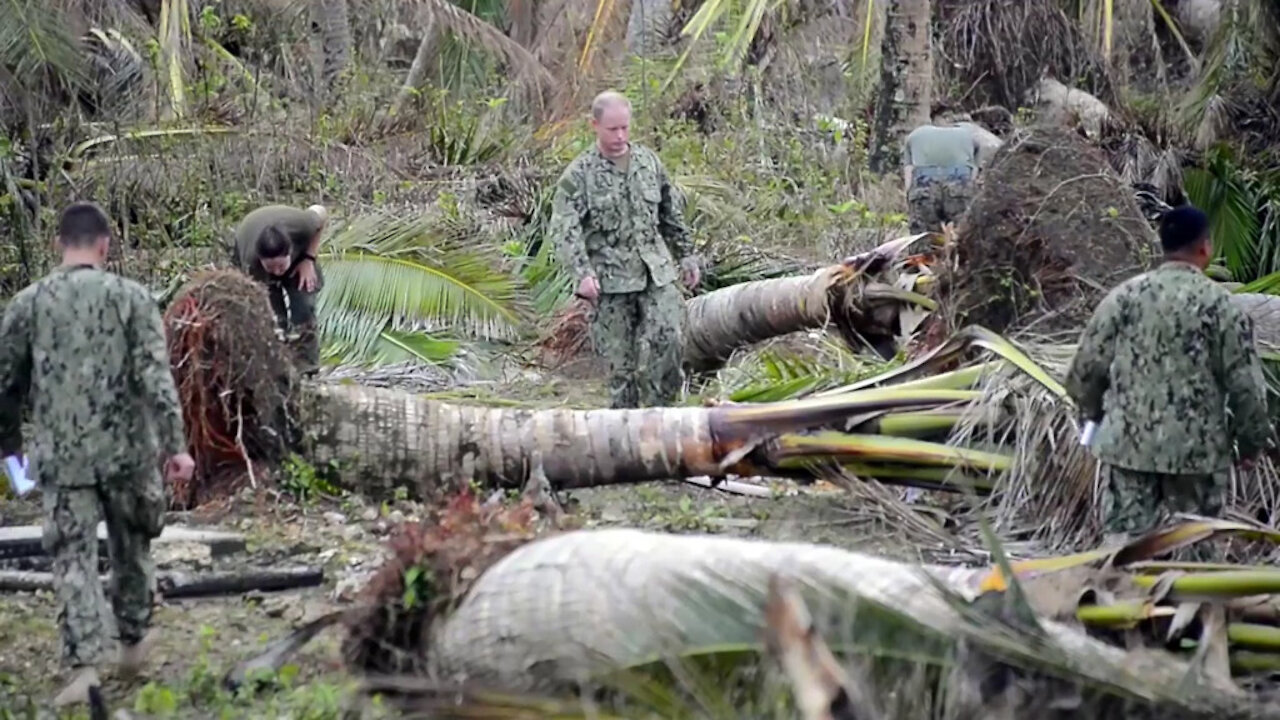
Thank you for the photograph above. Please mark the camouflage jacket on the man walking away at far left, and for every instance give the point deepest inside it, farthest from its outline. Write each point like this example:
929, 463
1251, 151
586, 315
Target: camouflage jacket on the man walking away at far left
85, 350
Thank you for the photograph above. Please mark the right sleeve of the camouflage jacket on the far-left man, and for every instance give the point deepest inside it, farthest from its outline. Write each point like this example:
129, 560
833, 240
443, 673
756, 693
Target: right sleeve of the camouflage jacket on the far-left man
154, 377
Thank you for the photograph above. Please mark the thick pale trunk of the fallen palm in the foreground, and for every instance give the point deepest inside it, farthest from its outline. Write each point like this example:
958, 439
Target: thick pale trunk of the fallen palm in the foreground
541, 619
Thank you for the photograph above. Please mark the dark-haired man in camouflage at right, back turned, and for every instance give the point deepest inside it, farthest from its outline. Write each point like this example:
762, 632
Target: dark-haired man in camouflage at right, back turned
1172, 362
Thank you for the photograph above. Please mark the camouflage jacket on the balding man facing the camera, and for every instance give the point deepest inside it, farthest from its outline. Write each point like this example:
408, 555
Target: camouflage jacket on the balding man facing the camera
624, 226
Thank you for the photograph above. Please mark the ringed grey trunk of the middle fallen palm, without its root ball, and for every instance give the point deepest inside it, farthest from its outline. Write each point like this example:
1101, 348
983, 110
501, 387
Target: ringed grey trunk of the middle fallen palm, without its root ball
382, 439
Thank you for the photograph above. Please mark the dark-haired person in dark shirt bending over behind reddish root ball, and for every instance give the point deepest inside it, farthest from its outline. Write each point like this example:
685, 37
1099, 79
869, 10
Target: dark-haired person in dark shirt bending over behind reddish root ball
277, 245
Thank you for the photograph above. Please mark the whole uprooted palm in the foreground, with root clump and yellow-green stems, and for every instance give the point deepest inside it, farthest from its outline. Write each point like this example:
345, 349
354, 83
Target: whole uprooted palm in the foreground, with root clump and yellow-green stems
473, 610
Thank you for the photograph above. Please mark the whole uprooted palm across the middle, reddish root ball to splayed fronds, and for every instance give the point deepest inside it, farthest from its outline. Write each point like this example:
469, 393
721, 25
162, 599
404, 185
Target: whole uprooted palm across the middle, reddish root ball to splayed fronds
995, 425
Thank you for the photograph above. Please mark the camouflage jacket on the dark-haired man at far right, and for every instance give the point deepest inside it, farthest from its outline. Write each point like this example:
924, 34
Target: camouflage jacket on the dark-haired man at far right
1171, 367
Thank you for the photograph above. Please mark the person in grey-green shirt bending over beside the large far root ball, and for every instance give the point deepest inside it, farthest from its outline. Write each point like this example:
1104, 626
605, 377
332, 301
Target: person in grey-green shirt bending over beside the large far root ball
940, 165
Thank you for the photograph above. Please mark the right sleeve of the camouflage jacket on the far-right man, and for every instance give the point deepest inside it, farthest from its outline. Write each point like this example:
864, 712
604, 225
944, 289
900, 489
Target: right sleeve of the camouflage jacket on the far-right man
1245, 385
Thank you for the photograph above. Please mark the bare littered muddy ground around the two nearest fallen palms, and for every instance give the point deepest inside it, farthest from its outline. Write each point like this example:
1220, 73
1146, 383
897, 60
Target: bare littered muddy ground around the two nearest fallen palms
345, 535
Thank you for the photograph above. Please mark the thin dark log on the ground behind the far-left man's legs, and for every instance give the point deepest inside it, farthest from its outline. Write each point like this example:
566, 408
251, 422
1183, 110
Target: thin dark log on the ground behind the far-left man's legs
181, 585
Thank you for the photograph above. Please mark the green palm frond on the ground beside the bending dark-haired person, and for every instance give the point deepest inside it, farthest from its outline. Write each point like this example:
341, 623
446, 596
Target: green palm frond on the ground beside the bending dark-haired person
390, 281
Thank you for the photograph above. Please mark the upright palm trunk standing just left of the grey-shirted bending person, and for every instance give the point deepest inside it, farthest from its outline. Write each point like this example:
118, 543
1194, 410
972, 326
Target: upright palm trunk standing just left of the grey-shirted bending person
907, 80
